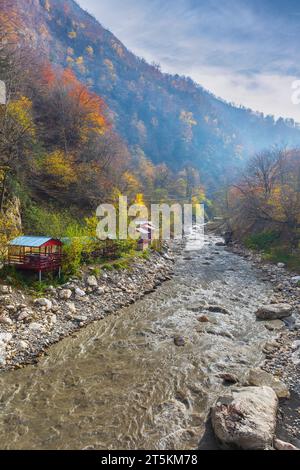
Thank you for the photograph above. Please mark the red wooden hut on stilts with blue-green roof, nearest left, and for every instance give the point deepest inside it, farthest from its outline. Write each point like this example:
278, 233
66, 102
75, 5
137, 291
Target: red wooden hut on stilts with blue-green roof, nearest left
38, 254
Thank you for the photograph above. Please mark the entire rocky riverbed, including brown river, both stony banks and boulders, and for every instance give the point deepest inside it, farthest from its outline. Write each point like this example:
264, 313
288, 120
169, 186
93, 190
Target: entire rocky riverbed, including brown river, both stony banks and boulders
219, 335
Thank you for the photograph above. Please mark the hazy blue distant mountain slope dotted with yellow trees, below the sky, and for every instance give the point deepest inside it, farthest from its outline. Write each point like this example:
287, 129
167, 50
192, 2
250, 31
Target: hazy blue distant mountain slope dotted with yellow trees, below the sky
169, 118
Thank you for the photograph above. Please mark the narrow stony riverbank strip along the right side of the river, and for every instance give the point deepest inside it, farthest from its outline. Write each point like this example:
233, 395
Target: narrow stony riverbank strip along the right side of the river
283, 356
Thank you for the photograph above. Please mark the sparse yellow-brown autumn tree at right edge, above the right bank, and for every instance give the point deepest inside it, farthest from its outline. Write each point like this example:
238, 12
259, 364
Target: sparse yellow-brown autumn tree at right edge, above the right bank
267, 195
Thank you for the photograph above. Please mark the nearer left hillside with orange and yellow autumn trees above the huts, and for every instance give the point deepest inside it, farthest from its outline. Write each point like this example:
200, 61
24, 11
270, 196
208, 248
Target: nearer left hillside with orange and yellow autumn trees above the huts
60, 154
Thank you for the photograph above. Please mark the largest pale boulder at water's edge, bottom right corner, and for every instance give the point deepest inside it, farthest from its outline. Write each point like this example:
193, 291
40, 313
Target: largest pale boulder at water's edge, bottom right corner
246, 419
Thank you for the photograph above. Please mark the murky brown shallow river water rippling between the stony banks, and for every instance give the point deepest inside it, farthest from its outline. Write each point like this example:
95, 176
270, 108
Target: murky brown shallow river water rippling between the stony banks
121, 383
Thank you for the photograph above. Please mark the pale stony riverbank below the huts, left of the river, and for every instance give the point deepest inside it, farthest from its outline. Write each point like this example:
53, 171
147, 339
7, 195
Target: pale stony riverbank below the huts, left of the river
28, 326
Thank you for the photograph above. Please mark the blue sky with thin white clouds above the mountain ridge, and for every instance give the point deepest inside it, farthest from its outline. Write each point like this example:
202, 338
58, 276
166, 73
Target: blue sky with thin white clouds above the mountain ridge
246, 51
